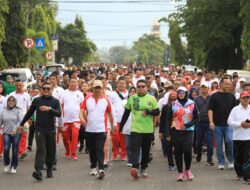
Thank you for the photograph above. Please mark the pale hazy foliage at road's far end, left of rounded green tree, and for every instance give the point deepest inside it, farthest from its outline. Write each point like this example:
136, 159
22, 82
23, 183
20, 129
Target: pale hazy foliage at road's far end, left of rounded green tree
122, 55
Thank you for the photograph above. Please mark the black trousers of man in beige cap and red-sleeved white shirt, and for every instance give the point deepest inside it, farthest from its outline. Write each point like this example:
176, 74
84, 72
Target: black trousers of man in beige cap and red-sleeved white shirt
95, 144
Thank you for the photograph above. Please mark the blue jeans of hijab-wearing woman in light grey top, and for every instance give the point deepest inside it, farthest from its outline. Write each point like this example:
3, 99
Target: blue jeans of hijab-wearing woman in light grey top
8, 142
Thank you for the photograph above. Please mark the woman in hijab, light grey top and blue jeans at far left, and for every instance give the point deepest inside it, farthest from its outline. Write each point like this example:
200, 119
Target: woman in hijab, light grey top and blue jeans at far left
10, 119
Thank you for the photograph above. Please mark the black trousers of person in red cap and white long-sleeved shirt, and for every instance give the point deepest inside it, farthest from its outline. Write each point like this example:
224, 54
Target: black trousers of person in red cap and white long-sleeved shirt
242, 158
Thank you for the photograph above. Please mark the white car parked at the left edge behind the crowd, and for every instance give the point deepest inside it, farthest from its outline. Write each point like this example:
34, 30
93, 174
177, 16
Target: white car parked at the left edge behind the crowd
24, 74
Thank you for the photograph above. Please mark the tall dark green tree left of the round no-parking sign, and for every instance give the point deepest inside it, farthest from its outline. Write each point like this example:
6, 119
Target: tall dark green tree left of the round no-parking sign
13, 49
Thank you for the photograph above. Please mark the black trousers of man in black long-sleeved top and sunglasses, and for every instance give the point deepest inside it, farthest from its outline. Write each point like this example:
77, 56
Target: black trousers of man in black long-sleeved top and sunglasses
45, 149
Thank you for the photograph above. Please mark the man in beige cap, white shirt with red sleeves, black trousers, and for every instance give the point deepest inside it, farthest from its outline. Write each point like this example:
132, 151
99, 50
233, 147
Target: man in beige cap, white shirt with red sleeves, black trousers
95, 113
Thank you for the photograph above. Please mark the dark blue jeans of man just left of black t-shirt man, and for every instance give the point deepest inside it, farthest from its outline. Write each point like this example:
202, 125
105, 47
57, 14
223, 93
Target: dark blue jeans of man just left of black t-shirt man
203, 130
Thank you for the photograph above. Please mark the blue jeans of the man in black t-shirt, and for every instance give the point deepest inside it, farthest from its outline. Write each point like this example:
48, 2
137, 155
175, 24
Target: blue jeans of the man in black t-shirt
224, 132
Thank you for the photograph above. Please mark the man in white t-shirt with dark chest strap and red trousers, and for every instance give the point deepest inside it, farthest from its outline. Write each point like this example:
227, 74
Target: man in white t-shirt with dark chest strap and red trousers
117, 99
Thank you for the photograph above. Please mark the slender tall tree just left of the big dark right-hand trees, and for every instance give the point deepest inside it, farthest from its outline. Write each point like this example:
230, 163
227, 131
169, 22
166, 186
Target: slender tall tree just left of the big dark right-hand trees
177, 50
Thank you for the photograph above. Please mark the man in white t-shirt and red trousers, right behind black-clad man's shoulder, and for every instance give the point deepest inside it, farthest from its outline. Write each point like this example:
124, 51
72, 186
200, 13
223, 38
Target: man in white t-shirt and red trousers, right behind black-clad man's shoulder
71, 100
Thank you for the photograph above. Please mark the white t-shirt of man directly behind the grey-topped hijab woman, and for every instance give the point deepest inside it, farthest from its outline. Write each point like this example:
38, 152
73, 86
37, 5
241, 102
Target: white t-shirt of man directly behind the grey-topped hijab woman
23, 100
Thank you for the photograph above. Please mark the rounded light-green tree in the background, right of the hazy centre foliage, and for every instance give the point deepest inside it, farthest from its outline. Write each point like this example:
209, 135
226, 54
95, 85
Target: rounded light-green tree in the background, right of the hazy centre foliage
150, 49
